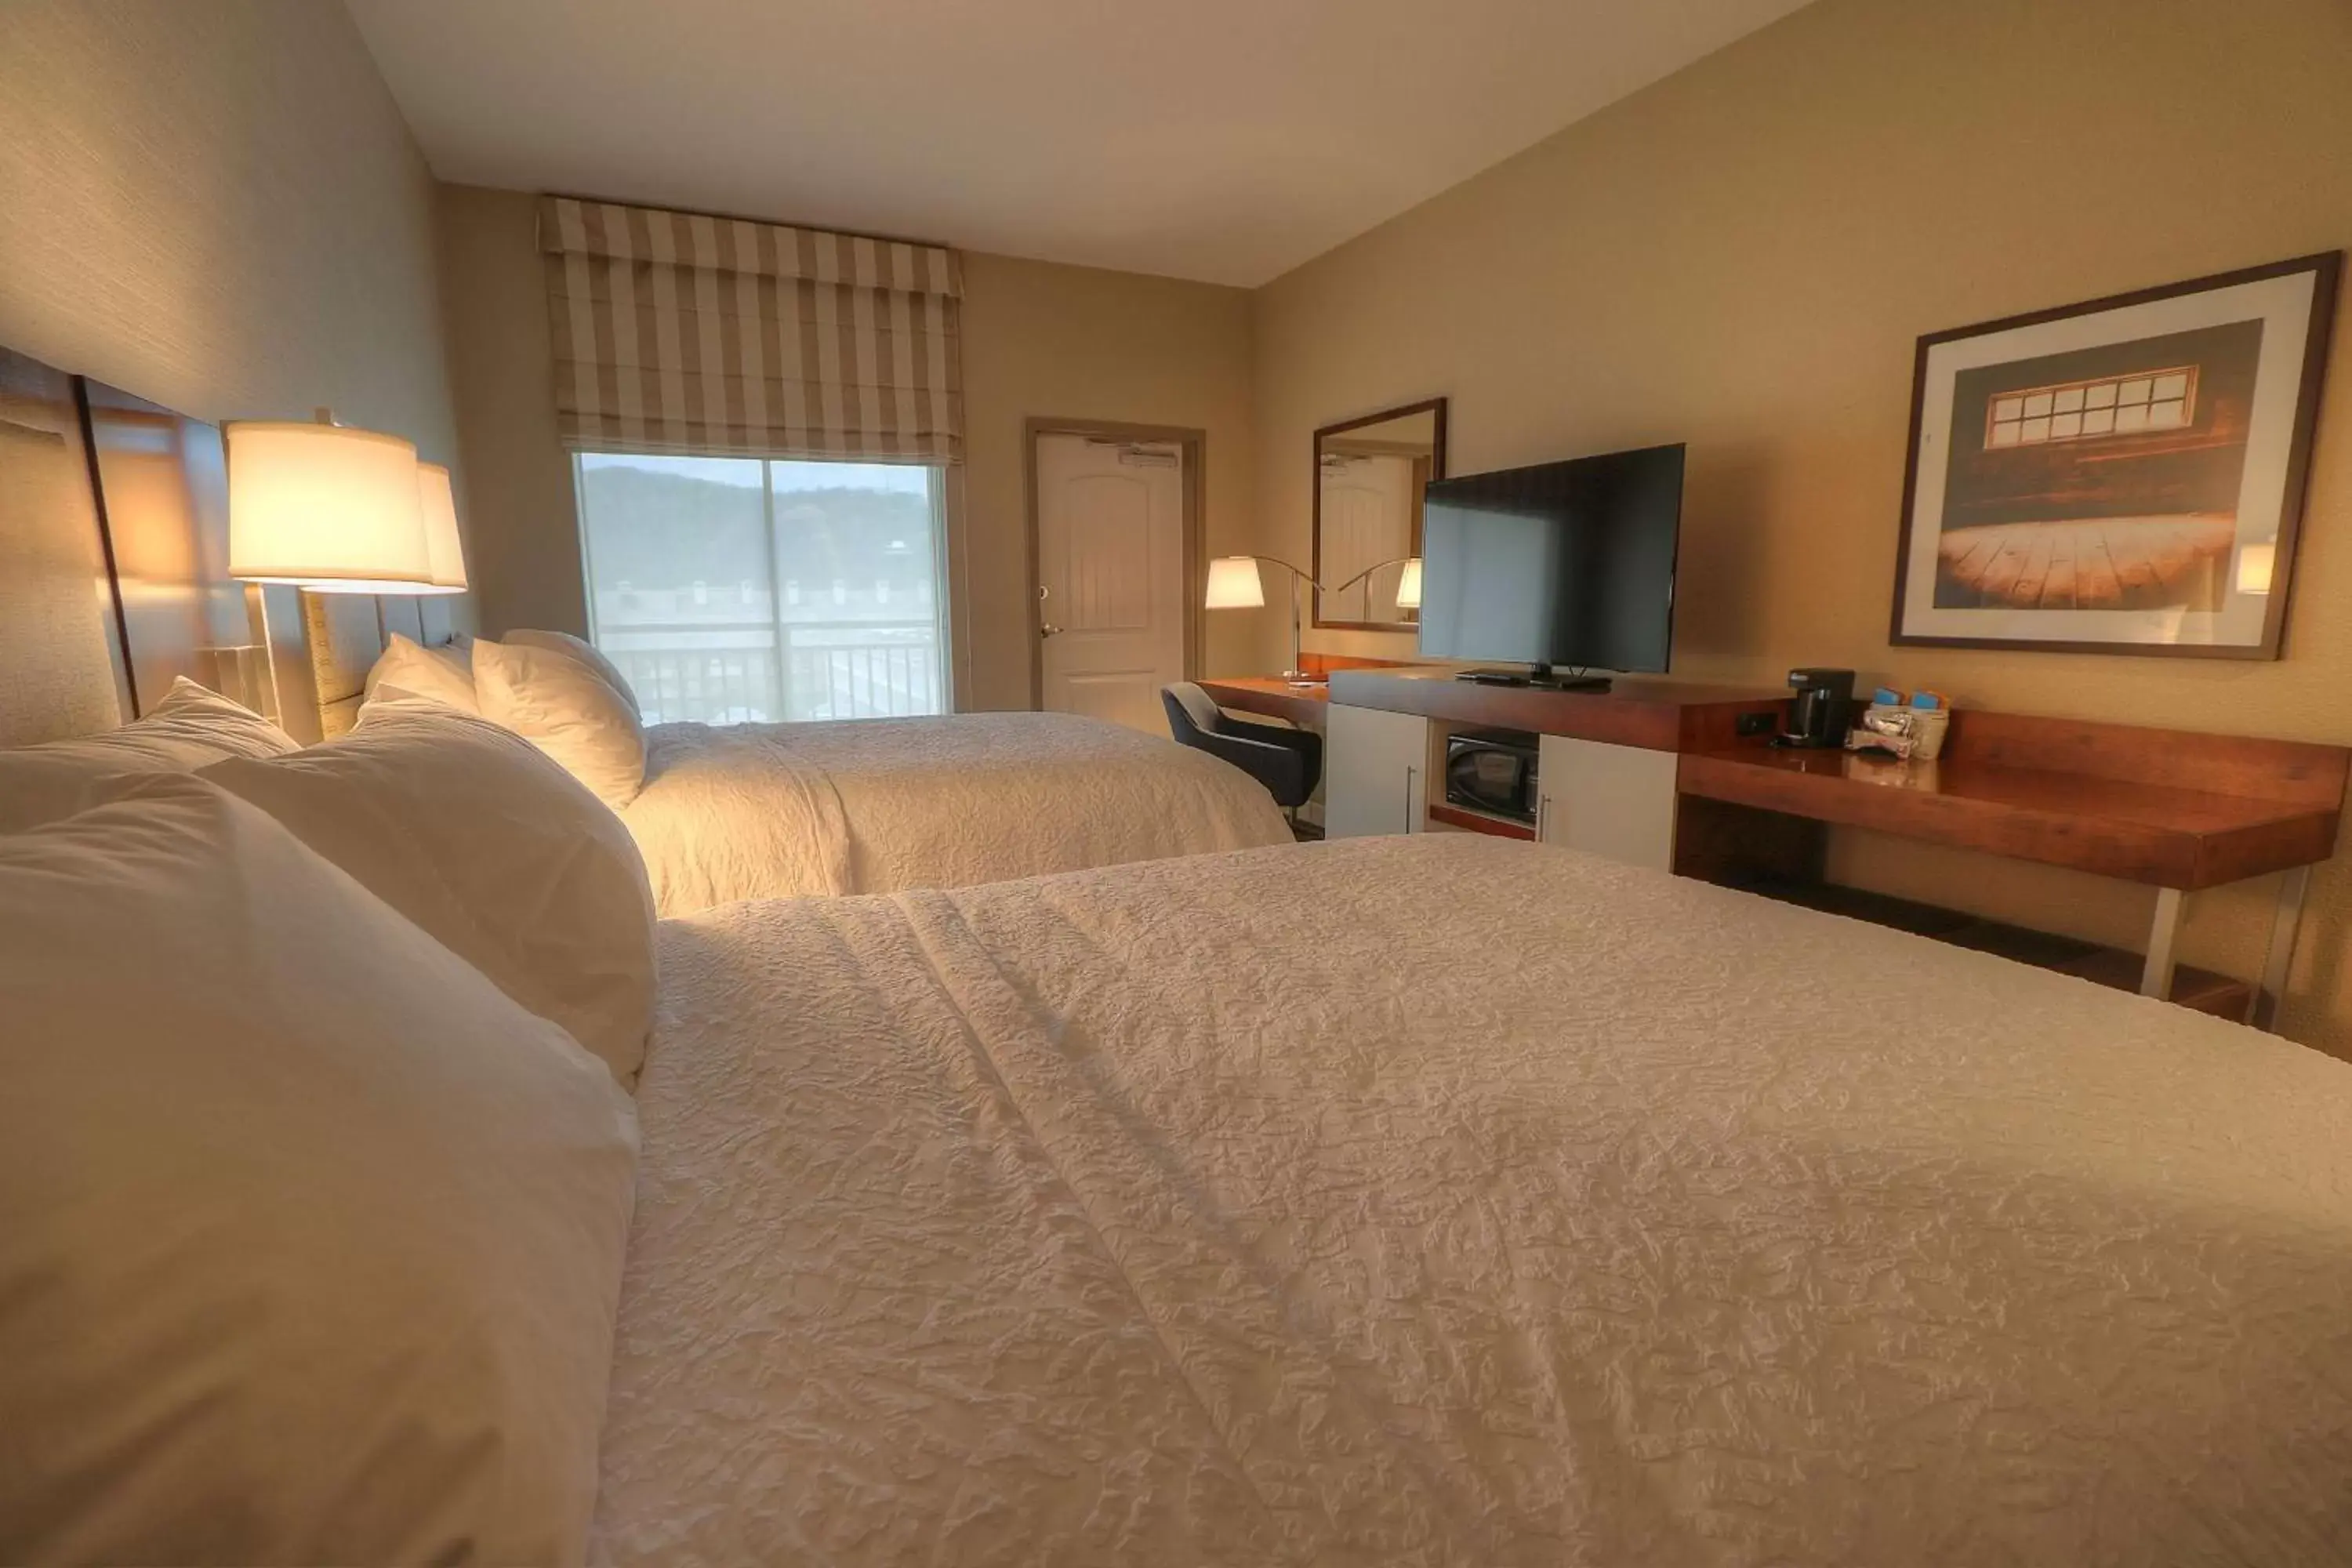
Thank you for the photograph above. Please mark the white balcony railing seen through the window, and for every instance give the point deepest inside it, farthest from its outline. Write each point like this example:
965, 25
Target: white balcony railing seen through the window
730, 674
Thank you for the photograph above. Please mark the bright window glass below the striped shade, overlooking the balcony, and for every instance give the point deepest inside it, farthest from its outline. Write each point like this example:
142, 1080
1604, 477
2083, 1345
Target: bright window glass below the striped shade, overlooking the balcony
747, 591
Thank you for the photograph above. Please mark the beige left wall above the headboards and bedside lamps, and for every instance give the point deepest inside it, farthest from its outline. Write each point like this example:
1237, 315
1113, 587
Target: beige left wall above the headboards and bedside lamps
218, 208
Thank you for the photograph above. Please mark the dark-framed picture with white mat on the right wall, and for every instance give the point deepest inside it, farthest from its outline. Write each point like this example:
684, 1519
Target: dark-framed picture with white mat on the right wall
2120, 476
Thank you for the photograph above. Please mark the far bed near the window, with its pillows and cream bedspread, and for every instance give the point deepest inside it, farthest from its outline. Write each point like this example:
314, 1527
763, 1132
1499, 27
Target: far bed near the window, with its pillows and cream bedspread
834, 808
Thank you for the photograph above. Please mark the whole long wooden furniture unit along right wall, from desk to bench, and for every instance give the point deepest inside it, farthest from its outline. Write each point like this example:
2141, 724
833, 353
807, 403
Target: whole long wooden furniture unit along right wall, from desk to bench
1683, 777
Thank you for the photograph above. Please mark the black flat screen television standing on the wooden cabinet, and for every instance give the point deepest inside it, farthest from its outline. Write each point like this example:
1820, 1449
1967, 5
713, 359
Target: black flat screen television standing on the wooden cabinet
1563, 565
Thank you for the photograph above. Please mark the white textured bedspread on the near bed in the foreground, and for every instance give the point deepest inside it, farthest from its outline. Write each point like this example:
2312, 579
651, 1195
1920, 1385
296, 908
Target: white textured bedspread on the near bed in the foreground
1462, 1202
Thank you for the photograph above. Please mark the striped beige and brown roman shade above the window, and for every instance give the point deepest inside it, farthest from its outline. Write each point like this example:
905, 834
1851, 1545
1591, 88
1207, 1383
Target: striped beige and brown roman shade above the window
681, 333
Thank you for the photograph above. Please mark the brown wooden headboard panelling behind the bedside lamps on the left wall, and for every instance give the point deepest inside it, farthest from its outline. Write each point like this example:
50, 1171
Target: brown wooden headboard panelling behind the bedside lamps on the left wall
114, 575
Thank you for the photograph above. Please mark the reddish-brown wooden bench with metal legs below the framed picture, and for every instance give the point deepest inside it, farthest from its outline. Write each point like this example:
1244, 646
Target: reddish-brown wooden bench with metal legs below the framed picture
2170, 810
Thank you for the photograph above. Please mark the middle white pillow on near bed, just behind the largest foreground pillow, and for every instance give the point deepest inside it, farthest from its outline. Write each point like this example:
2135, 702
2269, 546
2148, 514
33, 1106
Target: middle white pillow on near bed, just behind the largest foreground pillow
493, 850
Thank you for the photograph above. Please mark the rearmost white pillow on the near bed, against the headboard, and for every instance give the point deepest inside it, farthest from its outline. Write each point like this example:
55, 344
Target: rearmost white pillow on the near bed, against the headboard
187, 730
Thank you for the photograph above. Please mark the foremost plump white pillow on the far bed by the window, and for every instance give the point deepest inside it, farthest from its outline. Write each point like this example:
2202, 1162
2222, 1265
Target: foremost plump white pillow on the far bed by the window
563, 704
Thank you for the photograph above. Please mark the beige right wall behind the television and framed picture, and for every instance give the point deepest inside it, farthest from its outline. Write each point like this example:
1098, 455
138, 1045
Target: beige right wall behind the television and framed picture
1744, 255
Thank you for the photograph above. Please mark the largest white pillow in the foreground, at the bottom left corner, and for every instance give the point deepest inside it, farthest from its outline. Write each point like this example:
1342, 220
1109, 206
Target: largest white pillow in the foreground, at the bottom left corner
309, 1238
